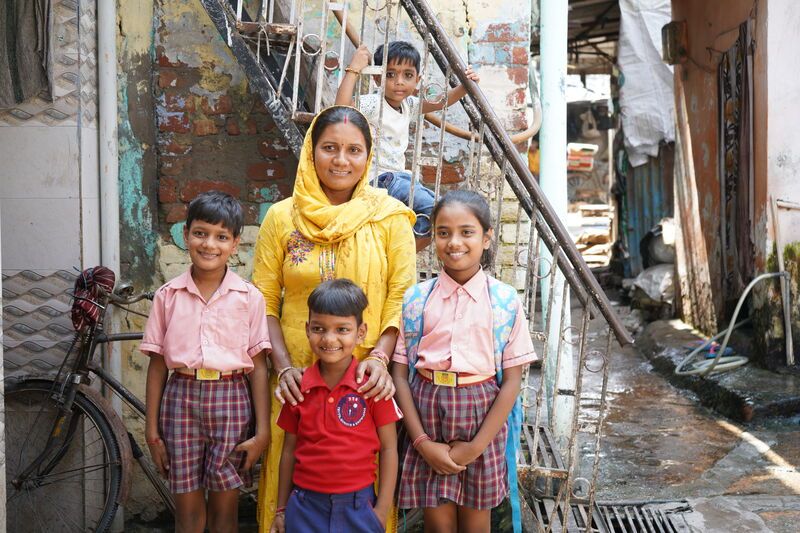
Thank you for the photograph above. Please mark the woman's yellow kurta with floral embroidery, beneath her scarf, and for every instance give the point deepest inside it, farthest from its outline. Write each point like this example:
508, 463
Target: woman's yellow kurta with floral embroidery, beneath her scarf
286, 270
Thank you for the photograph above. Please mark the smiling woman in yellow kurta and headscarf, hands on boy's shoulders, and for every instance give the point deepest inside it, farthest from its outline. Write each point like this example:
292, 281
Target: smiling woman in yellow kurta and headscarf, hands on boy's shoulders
335, 225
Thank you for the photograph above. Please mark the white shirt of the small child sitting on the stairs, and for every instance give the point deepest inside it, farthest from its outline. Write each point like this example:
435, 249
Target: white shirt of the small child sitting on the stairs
390, 150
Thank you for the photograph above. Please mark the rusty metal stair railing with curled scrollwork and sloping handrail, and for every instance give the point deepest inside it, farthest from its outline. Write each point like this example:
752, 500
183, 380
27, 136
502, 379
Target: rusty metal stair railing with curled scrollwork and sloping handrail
296, 74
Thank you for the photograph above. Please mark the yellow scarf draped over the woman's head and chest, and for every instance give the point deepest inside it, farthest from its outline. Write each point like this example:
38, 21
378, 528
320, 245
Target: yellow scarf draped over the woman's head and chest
345, 228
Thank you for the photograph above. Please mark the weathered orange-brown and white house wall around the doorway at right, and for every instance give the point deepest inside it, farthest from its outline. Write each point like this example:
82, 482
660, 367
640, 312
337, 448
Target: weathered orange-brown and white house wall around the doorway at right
776, 158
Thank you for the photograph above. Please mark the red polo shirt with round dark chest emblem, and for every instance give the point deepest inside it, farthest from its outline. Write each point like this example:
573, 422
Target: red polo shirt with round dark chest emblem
337, 433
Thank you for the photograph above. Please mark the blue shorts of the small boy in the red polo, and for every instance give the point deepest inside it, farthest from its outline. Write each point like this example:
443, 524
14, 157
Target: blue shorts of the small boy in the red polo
314, 512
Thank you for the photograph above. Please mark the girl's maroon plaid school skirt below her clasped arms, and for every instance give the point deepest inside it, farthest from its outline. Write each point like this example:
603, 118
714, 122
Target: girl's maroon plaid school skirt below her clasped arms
449, 414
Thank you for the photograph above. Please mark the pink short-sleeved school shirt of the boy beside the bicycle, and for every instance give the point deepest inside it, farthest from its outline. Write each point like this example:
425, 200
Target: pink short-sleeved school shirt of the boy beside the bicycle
223, 334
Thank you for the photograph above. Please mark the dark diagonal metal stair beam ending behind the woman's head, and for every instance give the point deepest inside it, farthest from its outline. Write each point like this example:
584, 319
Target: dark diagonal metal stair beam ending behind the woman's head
258, 77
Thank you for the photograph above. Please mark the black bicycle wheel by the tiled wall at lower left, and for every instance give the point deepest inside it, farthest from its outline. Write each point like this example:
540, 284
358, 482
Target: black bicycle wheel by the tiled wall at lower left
76, 486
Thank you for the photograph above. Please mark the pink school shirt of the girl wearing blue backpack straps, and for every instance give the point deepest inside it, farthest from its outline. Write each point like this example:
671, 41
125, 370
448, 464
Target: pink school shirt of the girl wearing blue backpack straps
457, 330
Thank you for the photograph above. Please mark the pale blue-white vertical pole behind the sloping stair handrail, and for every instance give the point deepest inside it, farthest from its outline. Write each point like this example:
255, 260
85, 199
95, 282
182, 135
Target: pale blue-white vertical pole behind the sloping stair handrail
553, 181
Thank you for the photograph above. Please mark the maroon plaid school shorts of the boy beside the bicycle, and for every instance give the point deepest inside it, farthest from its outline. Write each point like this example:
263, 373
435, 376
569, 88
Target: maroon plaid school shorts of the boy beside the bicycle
201, 423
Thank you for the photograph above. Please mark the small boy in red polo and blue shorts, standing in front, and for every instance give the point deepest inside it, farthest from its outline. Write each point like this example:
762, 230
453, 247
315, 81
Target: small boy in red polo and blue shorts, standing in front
327, 469
